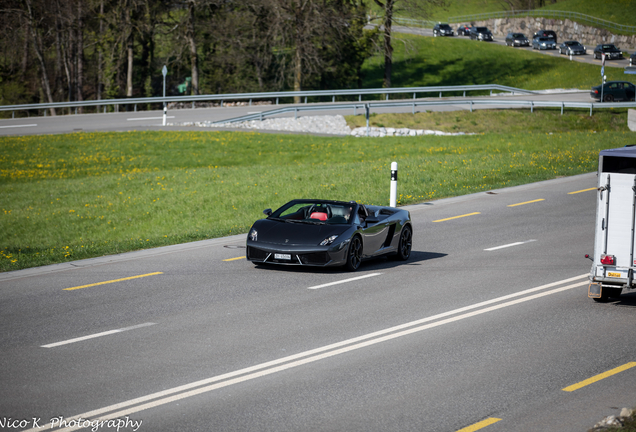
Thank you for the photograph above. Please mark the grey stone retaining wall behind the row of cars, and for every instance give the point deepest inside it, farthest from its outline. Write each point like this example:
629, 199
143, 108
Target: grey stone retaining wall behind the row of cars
565, 30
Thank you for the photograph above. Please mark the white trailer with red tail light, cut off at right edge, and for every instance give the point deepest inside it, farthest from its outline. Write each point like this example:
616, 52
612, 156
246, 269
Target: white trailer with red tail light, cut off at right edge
613, 261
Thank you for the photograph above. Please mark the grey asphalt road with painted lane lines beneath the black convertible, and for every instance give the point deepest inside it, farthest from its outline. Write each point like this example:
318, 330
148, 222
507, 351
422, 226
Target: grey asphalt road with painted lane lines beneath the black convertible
484, 327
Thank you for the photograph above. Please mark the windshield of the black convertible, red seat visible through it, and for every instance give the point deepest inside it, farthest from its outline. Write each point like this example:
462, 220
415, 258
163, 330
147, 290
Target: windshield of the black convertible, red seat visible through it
315, 212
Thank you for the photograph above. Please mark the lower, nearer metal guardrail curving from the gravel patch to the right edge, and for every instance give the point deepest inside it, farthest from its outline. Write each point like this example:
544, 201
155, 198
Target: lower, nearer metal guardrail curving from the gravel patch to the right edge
472, 102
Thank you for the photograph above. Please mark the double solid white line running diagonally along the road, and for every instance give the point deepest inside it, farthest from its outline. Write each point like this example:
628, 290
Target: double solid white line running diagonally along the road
278, 365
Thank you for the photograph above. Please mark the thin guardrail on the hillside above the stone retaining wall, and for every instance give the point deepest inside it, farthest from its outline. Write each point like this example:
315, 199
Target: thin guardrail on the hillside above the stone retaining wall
545, 13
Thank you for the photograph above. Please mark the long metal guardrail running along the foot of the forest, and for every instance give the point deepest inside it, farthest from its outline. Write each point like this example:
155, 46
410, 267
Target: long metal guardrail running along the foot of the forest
265, 96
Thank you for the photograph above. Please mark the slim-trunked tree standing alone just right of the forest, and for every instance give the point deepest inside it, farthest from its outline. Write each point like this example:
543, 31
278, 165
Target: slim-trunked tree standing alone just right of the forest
390, 7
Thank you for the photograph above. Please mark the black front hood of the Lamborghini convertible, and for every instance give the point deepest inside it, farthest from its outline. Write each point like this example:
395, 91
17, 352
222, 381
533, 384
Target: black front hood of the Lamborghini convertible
291, 233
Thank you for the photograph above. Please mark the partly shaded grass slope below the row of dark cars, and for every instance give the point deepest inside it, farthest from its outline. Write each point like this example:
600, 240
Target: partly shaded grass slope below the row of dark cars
419, 61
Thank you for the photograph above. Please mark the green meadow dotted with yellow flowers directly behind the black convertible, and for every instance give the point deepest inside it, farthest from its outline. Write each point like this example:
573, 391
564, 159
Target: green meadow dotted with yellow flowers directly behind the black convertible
68, 197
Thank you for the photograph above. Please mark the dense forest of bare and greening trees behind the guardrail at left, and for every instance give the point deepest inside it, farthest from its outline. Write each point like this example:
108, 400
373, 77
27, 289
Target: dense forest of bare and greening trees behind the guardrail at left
75, 50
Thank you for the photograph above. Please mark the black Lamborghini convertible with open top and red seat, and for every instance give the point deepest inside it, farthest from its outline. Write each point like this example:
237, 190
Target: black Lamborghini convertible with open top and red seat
329, 233
